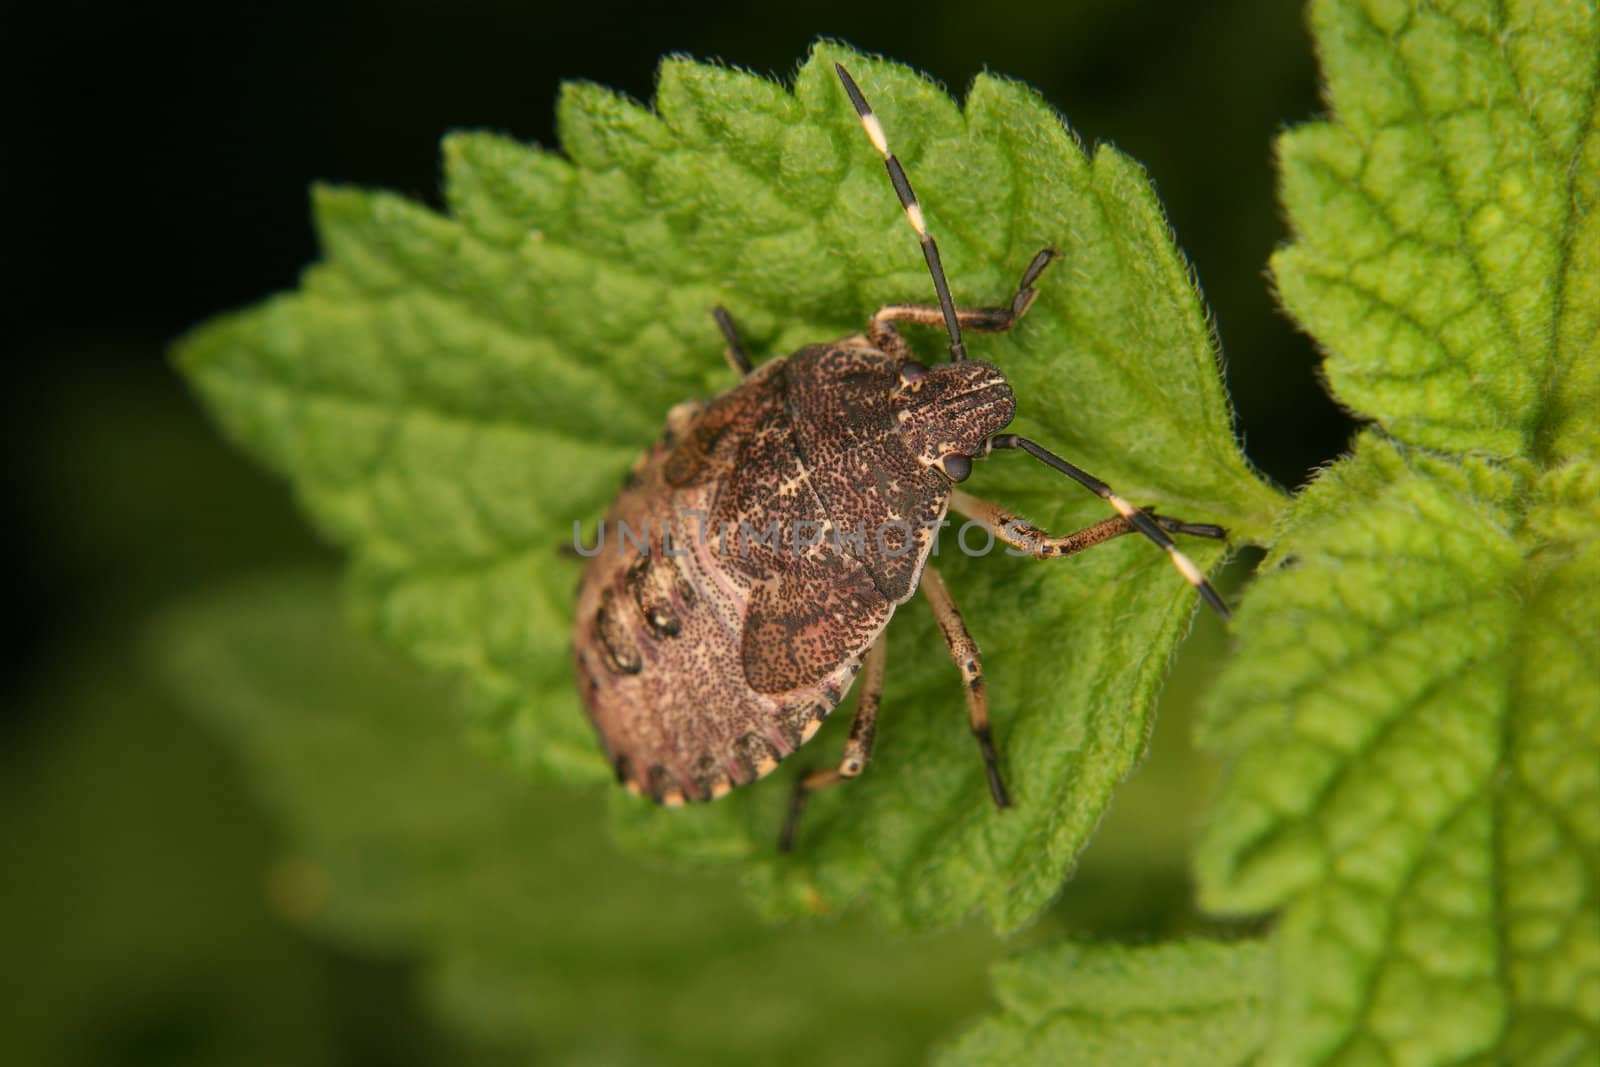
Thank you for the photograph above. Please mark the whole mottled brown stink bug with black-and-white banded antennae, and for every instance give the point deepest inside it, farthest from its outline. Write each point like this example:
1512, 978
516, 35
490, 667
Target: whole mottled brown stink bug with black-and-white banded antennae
759, 549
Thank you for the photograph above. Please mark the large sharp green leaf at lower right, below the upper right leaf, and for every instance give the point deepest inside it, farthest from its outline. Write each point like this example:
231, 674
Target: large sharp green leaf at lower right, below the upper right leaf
1417, 721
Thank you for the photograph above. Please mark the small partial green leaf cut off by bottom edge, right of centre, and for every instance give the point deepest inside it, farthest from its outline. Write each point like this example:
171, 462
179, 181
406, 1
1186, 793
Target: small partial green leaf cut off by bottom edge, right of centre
1199, 1004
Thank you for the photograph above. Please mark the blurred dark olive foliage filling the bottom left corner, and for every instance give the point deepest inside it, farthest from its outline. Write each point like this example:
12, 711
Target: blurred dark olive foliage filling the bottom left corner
137, 925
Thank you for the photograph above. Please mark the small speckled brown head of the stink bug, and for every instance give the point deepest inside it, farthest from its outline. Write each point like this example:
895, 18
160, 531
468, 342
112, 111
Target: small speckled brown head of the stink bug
946, 414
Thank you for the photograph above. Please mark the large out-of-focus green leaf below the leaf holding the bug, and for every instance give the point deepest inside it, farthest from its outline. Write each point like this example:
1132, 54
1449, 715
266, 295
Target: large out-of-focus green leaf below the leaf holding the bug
402, 839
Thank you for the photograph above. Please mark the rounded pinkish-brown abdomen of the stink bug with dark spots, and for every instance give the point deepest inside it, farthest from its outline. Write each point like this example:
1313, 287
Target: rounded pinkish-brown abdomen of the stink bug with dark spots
660, 634
